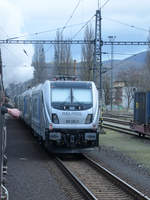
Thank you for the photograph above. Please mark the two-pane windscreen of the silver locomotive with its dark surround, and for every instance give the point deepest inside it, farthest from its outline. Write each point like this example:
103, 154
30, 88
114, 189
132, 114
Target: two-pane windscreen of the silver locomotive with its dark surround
71, 95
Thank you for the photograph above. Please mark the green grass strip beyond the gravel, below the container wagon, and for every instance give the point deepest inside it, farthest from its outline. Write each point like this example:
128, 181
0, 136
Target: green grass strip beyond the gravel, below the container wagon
134, 147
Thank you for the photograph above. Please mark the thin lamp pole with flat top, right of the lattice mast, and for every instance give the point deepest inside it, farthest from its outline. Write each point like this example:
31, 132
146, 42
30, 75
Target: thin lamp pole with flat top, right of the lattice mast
111, 39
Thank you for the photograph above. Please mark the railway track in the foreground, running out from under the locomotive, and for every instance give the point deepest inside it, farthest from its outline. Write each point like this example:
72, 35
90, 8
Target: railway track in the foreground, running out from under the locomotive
96, 182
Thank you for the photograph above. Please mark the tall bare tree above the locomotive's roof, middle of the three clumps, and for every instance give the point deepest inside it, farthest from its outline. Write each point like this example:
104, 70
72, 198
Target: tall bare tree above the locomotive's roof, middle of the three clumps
62, 56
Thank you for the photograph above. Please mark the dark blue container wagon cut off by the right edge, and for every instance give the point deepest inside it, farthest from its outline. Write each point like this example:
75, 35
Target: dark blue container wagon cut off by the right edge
141, 120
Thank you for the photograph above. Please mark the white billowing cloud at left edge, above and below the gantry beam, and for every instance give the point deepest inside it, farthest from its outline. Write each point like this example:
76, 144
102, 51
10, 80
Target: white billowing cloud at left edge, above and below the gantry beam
17, 65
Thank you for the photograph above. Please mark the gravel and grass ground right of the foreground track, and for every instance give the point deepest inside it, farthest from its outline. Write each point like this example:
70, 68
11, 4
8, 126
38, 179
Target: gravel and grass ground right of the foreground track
126, 156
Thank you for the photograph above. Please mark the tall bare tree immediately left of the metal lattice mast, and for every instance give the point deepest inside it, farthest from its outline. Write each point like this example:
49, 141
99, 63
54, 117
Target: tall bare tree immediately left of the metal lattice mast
87, 54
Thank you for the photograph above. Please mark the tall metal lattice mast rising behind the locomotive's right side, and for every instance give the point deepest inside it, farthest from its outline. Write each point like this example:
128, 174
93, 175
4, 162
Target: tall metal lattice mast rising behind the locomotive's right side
97, 68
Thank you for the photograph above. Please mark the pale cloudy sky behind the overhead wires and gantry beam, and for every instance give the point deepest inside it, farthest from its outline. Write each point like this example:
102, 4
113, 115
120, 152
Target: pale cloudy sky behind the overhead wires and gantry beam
128, 20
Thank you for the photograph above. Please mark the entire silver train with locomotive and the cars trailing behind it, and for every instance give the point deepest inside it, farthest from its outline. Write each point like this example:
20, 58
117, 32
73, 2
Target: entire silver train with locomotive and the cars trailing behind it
63, 114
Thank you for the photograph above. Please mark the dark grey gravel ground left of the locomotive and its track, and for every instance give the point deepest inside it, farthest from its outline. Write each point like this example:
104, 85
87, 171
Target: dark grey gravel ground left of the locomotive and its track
28, 175
